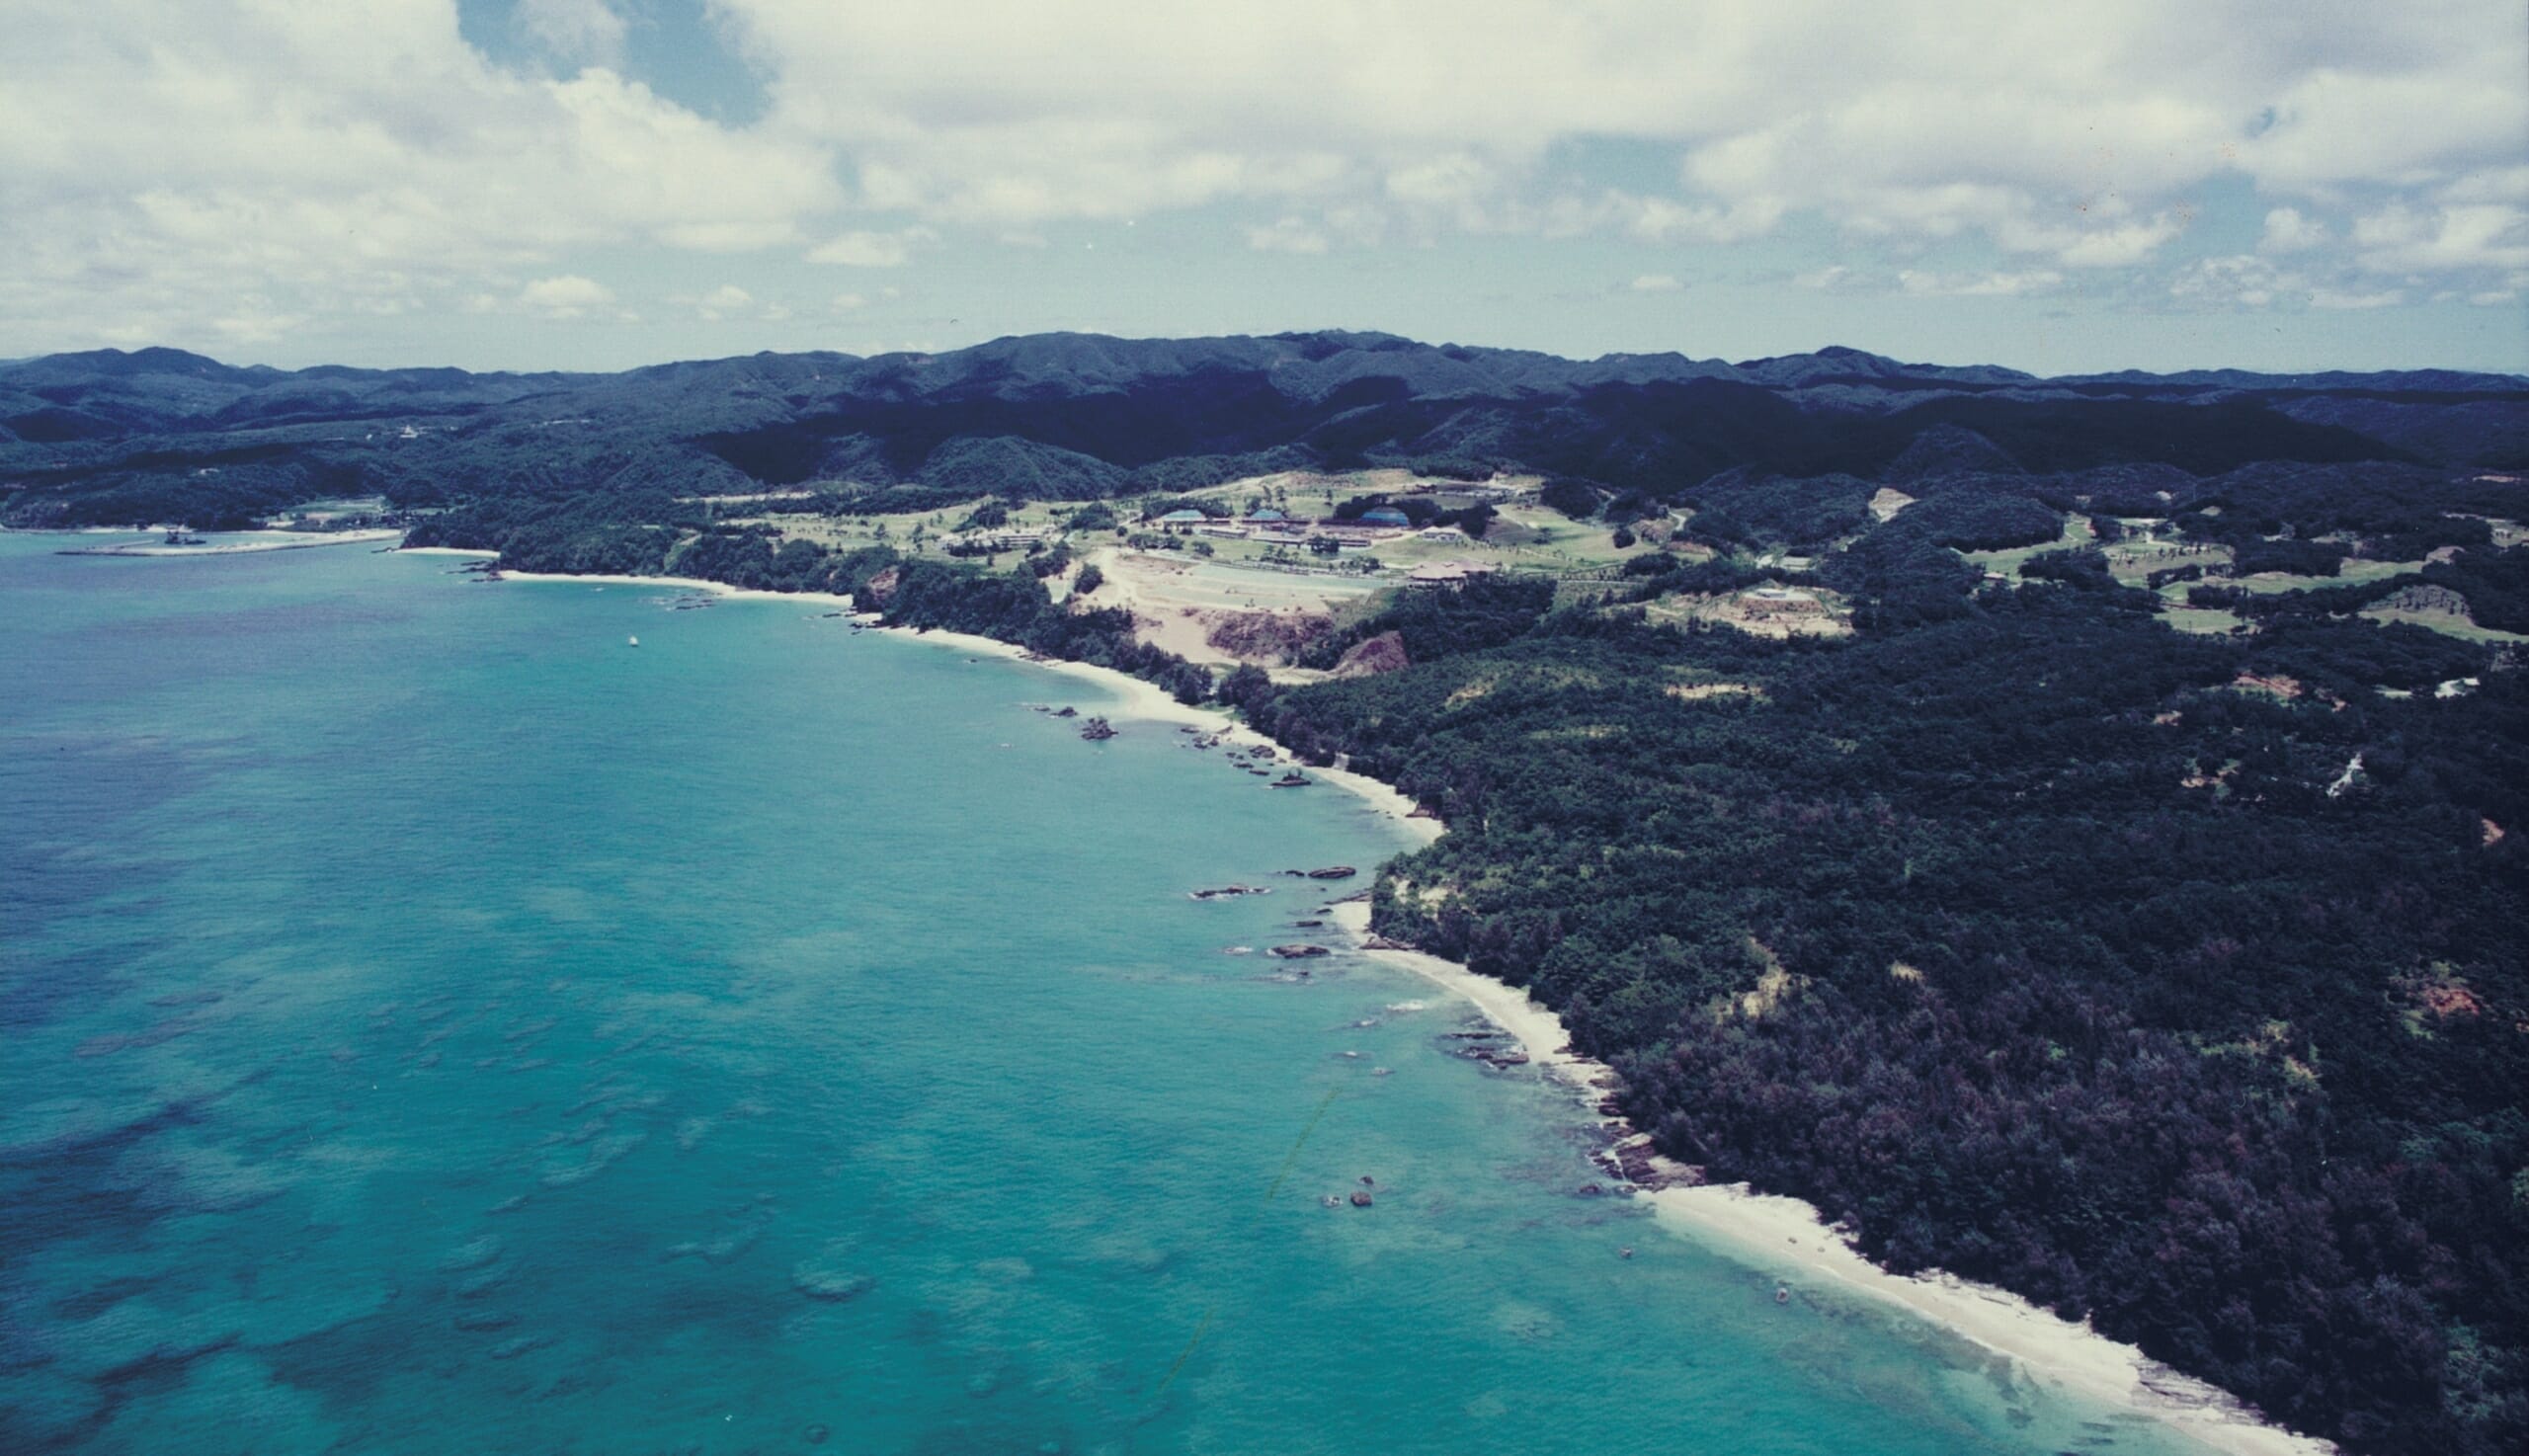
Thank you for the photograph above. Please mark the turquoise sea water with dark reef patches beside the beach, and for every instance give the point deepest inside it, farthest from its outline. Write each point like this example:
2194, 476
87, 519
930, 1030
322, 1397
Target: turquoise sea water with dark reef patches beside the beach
434, 1025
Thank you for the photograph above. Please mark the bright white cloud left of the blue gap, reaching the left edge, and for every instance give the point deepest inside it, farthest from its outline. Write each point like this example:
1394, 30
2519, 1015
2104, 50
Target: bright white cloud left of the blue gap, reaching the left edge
158, 163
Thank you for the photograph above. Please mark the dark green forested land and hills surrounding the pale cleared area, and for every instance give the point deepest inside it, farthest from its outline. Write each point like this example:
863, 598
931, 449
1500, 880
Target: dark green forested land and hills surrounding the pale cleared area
2169, 977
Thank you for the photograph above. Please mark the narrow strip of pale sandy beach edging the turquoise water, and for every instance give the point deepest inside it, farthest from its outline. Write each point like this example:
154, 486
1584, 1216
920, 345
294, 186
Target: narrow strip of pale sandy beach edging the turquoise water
1774, 1235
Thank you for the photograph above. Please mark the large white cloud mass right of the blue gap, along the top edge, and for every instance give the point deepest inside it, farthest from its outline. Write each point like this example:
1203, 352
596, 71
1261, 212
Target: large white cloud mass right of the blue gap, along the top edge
2073, 133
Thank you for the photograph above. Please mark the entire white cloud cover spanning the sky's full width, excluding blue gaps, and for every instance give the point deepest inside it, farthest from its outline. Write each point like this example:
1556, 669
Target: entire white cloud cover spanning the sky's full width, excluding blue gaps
163, 163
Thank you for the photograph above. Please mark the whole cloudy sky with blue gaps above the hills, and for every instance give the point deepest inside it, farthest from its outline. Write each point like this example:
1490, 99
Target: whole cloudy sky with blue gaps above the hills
613, 183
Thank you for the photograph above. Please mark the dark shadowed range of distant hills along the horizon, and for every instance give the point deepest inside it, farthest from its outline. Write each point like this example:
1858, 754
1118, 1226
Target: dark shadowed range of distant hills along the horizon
161, 434
